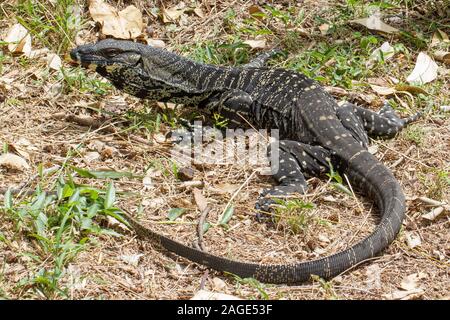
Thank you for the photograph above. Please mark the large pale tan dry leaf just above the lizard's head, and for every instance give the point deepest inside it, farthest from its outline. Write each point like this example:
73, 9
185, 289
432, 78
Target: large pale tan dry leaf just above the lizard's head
124, 24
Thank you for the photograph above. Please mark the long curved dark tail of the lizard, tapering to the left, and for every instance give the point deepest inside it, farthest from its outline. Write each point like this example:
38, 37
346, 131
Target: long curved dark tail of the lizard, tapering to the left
380, 185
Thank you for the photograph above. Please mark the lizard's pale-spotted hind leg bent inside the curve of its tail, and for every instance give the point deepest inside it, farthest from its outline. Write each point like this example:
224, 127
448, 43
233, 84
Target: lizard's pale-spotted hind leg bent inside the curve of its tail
296, 160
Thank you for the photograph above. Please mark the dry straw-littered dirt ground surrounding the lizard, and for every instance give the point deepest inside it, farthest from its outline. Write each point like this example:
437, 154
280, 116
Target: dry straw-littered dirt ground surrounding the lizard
42, 120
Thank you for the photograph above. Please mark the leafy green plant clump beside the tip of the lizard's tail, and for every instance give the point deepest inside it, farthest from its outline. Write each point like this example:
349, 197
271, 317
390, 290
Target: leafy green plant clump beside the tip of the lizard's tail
60, 224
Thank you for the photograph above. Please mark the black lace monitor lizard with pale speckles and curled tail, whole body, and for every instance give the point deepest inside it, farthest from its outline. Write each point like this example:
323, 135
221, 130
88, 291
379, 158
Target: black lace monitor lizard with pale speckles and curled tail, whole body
314, 132
